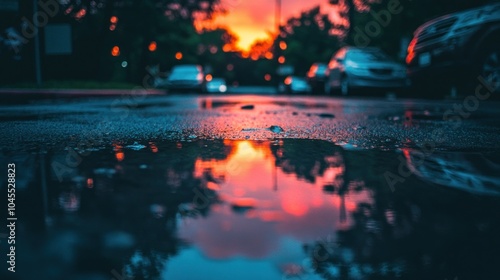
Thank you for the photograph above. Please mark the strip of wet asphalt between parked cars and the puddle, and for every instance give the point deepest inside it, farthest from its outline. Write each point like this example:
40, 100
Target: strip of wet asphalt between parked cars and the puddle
366, 123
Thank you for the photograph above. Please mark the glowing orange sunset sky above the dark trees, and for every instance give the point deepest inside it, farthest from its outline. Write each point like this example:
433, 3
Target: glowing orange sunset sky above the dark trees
254, 19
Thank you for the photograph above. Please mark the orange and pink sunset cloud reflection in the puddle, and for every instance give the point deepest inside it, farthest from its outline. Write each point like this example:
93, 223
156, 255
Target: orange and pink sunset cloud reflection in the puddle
263, 202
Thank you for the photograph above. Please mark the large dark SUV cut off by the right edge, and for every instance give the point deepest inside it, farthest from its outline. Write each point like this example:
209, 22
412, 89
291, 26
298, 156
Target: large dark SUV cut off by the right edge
455, 50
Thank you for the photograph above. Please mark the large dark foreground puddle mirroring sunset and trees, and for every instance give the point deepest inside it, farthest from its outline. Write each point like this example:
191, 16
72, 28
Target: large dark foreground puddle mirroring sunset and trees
283, 209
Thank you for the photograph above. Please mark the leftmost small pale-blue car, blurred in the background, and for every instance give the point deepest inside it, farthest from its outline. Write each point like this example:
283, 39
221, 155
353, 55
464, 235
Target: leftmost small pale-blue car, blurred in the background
187, 77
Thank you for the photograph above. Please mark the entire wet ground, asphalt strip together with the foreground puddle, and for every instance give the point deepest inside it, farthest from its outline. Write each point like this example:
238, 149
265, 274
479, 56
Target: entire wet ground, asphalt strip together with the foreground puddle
166, 187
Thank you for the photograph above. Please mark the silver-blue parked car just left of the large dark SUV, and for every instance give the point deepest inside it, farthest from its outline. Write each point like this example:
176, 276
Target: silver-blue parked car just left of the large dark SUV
354, 68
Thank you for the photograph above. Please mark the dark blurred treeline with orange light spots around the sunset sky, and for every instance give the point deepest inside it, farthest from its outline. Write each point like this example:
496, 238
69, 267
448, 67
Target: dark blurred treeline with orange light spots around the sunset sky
119, 41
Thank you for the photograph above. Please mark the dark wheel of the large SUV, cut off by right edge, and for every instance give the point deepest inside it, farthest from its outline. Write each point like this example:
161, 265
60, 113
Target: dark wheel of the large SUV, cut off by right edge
489, 68
